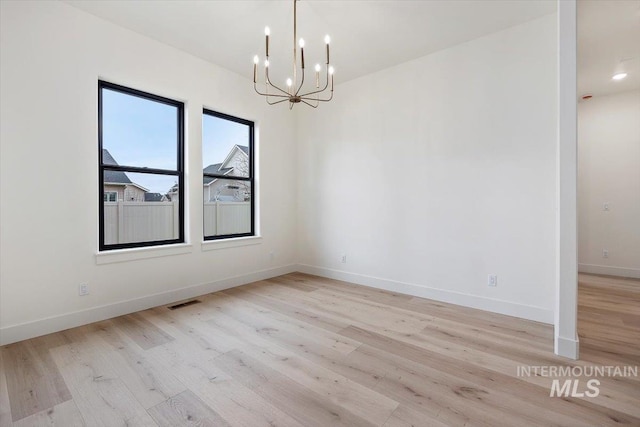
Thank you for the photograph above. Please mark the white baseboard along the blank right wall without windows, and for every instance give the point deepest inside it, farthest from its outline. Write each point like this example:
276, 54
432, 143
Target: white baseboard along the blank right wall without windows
528, 312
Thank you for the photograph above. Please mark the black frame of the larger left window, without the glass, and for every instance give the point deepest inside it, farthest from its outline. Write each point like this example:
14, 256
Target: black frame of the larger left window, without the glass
179, 172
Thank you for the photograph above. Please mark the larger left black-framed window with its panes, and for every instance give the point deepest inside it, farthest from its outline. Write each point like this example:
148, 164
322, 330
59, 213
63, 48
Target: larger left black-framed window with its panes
141, 166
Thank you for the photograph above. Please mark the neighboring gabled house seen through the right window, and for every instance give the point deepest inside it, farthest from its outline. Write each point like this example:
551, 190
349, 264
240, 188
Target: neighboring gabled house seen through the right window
235, 164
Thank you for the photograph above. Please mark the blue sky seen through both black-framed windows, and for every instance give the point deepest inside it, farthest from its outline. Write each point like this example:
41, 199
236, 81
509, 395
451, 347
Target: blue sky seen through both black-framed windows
139, 132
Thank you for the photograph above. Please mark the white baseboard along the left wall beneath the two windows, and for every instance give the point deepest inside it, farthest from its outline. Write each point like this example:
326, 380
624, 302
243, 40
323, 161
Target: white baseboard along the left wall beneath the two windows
23, 331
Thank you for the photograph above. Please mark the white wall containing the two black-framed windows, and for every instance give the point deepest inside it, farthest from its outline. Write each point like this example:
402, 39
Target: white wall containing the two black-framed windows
52, 56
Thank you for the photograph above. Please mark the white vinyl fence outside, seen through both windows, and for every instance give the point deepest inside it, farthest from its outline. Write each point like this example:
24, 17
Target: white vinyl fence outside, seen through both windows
126, 222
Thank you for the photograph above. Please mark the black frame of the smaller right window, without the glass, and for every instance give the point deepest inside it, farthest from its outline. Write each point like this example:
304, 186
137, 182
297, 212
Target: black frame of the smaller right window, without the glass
250, 178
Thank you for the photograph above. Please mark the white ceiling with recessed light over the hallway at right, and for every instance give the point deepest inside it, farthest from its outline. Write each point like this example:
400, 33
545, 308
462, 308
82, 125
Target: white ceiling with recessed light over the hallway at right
608, 43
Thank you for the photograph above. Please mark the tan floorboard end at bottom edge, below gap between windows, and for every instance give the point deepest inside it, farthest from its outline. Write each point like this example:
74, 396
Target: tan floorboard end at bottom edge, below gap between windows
185, 410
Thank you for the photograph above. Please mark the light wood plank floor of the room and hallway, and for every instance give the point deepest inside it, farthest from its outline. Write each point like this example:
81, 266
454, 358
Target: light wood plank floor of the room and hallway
301, 350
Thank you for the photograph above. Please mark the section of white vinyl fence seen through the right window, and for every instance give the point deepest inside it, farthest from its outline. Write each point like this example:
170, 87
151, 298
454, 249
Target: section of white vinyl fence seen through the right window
221, 218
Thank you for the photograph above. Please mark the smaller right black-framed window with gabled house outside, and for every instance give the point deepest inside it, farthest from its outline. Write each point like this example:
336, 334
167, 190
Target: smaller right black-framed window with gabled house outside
228, 176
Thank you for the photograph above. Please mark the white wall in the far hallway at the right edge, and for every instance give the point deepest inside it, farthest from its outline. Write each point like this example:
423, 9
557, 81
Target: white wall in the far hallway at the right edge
609, 172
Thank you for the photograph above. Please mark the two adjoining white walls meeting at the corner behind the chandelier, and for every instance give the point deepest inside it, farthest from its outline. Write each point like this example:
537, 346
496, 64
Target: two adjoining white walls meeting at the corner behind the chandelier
428, 176
